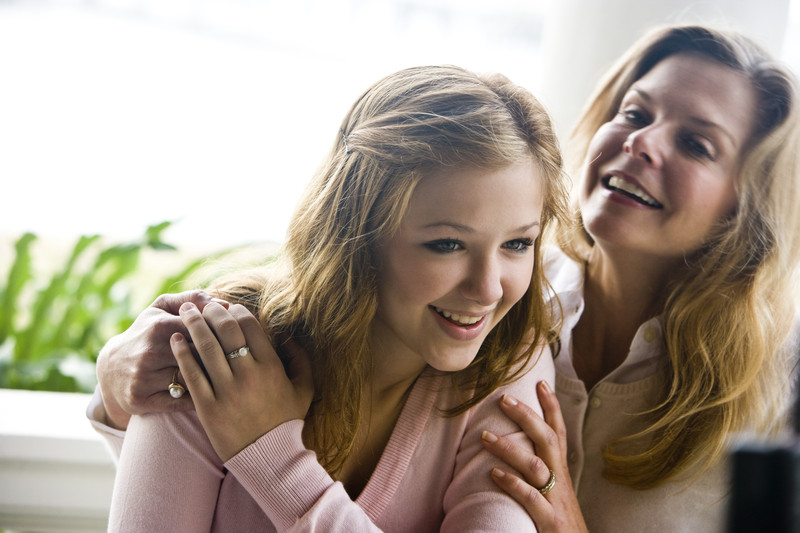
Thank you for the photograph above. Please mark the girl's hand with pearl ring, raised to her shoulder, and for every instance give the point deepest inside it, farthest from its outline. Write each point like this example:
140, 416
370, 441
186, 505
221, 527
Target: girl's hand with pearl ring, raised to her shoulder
242, 398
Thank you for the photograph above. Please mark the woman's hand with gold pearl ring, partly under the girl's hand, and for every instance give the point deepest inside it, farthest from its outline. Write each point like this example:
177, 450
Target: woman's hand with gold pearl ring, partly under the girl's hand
135, 368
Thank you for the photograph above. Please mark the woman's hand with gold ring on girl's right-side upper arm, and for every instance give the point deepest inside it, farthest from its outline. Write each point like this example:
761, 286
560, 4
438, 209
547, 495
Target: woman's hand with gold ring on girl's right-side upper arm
558, 511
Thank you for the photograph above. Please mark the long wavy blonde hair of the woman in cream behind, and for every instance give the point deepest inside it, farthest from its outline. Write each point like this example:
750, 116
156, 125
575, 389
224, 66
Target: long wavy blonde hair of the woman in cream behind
727, 319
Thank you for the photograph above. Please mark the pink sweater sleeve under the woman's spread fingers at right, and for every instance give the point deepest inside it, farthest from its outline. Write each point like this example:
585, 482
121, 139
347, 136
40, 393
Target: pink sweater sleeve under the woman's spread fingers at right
473, 502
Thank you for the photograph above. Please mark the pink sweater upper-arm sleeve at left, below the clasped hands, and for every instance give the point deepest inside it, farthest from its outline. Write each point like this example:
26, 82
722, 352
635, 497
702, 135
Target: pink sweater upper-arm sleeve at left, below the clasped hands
168, 476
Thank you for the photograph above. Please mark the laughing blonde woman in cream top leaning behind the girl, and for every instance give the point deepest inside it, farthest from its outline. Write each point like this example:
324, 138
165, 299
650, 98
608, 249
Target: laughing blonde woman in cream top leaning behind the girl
678, 284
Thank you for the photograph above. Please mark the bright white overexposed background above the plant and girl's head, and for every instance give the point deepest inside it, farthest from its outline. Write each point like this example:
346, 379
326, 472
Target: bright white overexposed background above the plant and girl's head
116, 114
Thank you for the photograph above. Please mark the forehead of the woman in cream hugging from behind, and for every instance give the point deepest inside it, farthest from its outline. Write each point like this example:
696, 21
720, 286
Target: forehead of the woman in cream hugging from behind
703, 90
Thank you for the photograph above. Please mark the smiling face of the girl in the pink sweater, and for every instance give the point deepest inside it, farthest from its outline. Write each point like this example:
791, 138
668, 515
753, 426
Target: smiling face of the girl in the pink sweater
463, 256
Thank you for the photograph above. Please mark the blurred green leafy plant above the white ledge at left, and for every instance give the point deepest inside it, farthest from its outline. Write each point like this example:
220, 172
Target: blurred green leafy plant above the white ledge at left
53, 345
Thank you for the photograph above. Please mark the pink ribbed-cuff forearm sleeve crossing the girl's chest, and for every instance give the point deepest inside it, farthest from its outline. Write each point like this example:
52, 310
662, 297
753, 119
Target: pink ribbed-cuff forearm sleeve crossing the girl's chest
292, 488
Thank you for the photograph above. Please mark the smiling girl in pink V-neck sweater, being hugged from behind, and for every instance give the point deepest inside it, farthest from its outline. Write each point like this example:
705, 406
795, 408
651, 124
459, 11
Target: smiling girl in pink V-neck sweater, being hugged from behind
411, 274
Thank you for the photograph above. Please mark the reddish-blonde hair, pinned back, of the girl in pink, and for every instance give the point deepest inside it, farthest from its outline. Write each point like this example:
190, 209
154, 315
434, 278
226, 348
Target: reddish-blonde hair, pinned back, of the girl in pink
403, 128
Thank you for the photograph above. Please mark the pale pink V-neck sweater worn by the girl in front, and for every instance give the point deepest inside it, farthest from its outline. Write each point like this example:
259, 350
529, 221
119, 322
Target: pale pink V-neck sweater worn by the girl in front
433, 474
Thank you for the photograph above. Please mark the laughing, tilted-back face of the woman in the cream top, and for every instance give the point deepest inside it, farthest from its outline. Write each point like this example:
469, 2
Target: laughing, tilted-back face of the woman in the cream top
662, 172
